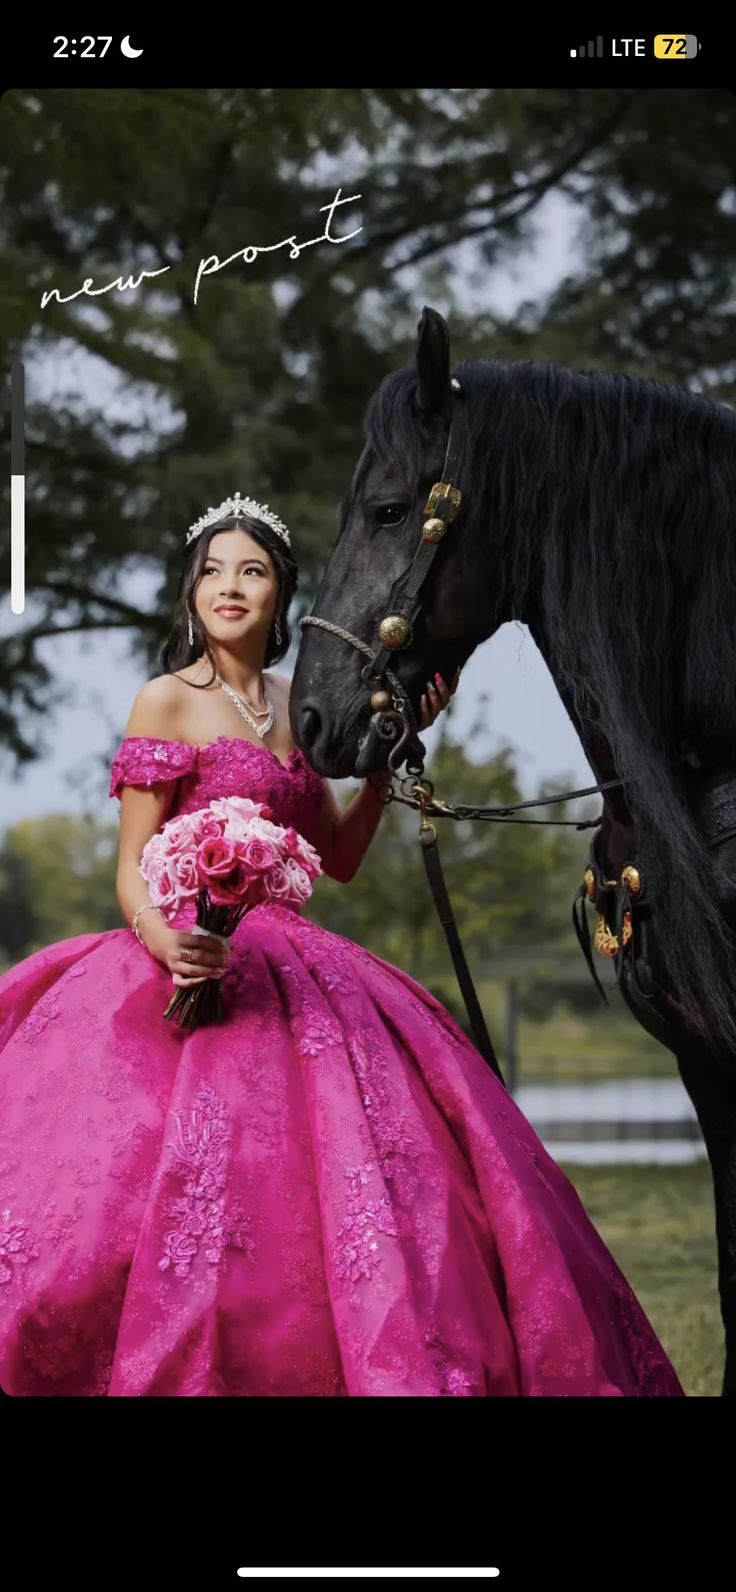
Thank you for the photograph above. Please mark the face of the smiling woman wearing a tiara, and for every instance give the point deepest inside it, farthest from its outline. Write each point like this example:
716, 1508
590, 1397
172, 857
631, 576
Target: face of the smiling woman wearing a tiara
238, 593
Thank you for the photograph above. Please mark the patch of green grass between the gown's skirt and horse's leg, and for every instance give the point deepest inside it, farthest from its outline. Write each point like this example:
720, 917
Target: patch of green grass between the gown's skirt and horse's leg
659, 1223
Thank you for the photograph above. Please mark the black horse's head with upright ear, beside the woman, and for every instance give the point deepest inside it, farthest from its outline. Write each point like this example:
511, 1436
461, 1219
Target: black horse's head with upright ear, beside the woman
382, 531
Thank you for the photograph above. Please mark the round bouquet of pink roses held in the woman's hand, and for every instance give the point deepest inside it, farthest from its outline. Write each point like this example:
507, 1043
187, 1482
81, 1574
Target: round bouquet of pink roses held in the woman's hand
229, 857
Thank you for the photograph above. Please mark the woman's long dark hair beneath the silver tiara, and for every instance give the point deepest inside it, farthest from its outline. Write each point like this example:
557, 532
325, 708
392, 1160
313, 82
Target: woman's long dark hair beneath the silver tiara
176, 652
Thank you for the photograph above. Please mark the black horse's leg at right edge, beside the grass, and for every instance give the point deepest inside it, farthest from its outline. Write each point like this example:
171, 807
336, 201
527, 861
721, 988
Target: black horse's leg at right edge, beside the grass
714, 1099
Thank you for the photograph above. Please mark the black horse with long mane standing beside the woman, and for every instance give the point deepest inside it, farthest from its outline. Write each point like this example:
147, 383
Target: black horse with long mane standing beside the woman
601, 512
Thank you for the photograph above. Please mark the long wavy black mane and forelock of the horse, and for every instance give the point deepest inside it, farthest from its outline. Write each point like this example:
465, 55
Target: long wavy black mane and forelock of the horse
613, 499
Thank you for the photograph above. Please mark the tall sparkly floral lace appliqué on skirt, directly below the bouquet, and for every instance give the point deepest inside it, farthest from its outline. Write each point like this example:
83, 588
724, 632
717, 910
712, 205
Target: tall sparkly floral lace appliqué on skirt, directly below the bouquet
202, 1220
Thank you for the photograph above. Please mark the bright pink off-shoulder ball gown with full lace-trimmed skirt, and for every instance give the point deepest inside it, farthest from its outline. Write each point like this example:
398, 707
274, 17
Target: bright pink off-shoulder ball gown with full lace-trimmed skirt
326, 1195
